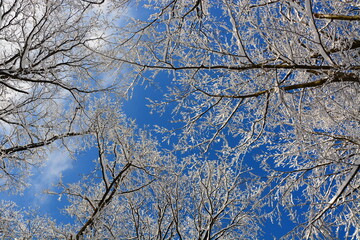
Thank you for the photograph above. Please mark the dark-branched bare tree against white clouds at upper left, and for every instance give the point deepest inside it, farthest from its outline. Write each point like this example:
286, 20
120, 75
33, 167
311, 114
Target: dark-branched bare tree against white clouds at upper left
48, 71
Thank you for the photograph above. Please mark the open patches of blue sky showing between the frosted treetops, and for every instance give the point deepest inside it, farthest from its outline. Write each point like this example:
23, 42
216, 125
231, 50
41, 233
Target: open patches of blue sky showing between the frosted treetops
60, 163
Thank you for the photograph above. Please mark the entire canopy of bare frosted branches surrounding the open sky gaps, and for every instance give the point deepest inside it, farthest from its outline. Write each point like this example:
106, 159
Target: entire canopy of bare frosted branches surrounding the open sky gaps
277, 77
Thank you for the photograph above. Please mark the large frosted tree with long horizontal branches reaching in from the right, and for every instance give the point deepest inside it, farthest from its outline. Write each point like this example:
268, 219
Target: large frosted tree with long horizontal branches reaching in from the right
278, 74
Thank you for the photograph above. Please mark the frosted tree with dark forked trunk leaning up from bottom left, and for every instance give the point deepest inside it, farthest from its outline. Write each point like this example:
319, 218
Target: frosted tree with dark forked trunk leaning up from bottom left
126, 163
